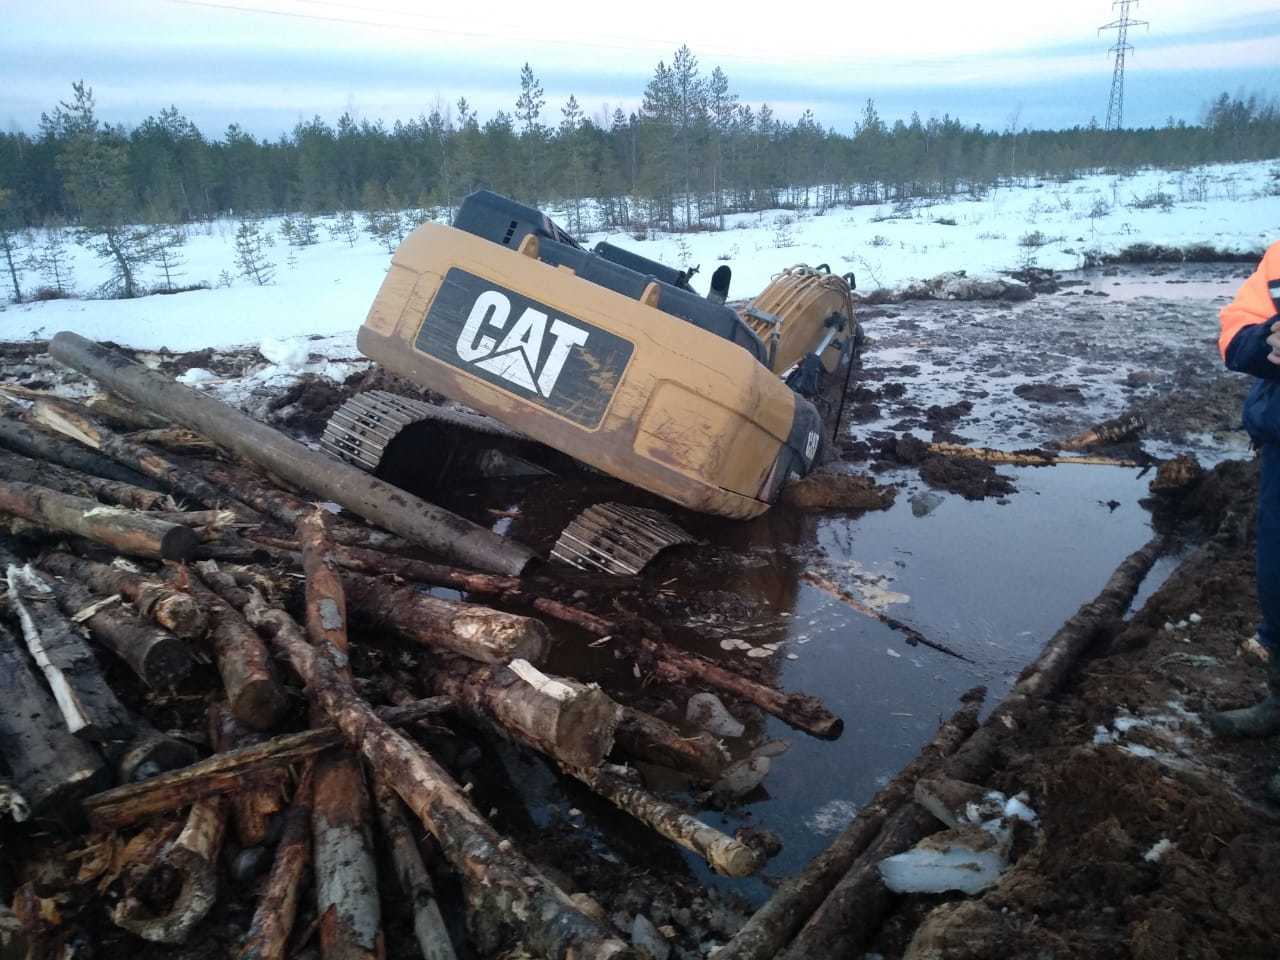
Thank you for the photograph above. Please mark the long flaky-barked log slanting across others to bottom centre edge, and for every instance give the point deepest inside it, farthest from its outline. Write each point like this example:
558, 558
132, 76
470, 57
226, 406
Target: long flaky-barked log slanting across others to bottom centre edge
511, 902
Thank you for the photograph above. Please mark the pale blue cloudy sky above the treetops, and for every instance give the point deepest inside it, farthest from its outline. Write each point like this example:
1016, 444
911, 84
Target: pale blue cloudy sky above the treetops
268, 63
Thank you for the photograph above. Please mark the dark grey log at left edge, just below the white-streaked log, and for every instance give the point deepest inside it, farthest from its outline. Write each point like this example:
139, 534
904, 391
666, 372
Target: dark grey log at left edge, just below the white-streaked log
51, 767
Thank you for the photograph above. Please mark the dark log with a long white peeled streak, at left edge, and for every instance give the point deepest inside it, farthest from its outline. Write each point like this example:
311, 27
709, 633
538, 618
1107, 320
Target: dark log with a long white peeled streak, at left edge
90, 707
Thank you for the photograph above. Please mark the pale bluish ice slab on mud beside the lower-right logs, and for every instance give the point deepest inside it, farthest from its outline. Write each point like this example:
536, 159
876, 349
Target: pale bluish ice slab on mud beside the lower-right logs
968, 860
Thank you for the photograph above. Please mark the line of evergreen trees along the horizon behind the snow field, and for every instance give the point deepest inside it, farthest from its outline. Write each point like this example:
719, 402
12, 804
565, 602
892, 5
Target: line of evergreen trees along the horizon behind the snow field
692, 154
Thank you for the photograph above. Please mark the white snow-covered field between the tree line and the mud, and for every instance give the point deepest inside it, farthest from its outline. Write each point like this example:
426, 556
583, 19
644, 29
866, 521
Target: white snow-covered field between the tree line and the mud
330, 287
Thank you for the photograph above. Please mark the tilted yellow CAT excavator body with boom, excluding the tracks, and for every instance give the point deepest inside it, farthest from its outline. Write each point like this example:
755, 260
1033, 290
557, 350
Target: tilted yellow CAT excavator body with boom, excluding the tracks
609, 358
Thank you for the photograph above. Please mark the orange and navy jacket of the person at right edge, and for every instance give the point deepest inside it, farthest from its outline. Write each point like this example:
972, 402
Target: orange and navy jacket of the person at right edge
1246, 324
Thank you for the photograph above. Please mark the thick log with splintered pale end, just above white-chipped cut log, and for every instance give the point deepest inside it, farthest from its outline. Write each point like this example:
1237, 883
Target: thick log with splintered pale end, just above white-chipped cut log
478, 633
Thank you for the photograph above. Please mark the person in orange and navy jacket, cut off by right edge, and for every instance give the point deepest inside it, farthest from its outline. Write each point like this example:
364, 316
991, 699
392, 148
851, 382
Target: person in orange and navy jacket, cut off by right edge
1250, 344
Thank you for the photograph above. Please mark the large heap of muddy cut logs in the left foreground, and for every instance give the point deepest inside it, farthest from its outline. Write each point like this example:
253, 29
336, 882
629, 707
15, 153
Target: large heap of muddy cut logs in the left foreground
170, 551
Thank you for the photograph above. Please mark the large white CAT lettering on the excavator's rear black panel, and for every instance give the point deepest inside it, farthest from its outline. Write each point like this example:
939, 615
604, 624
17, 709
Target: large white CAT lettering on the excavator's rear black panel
532, 353
